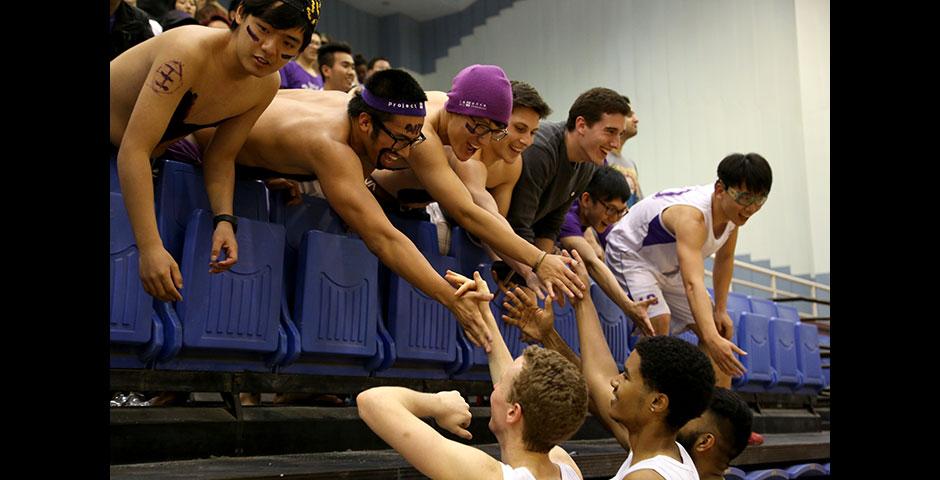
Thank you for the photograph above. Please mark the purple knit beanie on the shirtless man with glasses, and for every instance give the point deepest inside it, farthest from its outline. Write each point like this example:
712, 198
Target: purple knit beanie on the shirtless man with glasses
481, 91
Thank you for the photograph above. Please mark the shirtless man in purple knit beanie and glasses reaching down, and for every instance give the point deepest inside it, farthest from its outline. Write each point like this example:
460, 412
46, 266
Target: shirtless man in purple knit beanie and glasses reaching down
474, 113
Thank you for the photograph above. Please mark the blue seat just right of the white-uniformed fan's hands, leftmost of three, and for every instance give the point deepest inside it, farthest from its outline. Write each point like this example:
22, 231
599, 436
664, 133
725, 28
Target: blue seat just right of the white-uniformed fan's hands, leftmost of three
754, 338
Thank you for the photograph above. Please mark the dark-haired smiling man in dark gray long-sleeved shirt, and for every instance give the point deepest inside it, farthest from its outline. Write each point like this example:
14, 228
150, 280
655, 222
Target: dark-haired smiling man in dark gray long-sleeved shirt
559, 165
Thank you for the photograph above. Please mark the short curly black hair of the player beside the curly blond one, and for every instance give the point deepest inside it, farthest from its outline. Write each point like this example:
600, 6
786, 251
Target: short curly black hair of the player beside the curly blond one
679, 370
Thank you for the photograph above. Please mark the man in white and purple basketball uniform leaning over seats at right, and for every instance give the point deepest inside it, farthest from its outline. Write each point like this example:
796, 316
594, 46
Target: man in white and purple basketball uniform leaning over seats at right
657, 252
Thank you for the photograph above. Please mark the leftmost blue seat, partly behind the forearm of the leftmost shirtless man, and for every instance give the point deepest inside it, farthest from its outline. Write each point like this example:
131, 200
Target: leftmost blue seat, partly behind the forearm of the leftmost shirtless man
135, 329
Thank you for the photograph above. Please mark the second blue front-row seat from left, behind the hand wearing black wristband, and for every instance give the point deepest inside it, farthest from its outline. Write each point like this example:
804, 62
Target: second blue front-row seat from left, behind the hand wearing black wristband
231, 320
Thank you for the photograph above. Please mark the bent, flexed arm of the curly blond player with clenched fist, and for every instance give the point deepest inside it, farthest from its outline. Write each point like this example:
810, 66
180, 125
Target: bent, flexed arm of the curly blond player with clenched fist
393, 414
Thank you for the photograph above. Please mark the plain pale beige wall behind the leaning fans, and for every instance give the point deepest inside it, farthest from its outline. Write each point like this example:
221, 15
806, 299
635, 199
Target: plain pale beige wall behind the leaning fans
706, 78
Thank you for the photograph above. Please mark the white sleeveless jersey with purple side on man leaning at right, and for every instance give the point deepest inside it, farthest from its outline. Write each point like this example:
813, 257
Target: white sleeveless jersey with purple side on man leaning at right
641, 235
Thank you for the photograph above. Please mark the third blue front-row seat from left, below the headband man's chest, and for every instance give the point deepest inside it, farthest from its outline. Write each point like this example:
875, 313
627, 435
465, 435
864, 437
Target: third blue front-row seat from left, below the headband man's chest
336, 309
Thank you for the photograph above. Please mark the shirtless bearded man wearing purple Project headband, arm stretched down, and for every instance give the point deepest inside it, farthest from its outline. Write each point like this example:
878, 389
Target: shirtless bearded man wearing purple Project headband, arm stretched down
338, 139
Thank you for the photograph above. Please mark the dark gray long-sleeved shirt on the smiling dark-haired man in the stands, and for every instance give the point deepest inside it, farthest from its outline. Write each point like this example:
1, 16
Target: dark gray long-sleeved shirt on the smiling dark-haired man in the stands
548, 184
